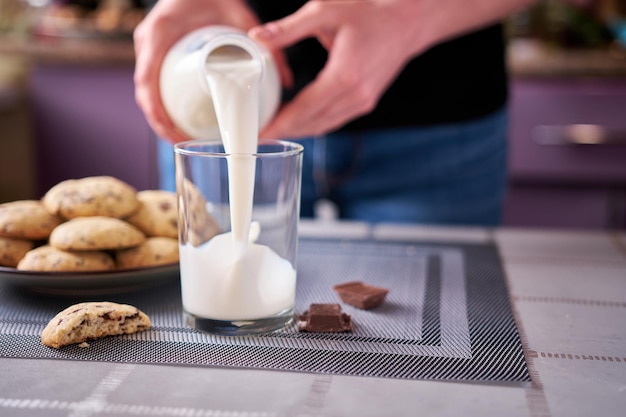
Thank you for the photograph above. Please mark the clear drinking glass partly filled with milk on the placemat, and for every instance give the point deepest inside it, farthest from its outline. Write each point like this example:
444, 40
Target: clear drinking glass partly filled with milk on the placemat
238, 235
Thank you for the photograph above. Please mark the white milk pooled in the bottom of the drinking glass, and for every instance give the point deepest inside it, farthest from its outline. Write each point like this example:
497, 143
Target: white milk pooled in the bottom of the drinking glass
222, 285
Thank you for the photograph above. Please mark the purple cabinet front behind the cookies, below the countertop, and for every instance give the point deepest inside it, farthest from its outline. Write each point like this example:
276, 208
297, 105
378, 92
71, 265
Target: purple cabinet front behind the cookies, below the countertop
87, 123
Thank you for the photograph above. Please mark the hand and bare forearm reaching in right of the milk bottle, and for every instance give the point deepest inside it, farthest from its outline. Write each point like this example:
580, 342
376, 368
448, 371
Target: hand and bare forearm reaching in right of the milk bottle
369, 42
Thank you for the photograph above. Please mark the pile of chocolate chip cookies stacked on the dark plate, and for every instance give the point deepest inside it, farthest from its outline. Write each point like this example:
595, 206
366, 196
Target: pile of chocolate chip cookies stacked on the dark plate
90, 224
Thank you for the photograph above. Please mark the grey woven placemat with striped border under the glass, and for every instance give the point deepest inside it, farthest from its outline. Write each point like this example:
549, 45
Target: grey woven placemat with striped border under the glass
447, 316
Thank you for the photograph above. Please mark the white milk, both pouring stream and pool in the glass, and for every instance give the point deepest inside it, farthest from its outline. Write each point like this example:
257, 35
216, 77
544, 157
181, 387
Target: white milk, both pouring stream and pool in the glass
229, 278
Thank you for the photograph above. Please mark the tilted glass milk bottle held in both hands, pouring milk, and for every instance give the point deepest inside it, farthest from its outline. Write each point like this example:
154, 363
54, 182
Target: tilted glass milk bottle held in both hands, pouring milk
184, 87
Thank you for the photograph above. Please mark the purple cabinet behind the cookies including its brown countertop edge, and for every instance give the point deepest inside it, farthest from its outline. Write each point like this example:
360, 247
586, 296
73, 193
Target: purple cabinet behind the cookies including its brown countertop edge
84, 115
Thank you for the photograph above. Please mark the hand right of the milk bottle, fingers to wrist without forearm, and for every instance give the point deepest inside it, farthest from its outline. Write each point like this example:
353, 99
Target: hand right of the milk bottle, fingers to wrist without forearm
369, 42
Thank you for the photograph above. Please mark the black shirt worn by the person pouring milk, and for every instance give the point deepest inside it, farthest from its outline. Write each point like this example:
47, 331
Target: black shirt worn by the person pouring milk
454, 81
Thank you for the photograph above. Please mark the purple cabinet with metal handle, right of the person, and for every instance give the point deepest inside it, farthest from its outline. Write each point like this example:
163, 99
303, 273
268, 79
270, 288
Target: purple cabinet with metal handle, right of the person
567, 153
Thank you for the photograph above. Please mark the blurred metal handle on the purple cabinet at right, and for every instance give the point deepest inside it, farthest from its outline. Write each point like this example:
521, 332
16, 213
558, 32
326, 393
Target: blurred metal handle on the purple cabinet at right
578, 134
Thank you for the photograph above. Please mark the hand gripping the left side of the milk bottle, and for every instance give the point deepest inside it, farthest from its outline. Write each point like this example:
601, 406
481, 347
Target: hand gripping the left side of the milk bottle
166, 23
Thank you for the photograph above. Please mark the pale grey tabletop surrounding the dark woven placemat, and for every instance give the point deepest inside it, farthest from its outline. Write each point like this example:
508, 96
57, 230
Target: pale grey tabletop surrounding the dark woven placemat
568, 293
